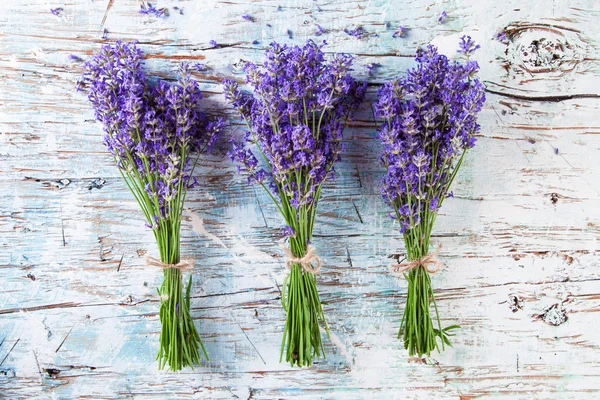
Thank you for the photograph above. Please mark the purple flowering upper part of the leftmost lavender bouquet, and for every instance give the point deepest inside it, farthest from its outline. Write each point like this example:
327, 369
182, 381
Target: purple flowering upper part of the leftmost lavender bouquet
152, 131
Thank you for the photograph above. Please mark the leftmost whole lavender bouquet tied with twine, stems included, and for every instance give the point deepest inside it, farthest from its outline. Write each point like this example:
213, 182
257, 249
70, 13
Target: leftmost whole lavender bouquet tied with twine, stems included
155, 134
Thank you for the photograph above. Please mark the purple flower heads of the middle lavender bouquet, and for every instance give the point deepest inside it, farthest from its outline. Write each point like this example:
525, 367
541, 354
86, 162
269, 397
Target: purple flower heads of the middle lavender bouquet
295, 118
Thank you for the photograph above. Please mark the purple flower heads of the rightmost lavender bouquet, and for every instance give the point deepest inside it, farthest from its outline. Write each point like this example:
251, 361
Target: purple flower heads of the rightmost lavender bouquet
430, 121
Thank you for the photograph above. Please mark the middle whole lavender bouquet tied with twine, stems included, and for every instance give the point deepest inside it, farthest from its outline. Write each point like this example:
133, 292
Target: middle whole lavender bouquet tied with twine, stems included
295, 121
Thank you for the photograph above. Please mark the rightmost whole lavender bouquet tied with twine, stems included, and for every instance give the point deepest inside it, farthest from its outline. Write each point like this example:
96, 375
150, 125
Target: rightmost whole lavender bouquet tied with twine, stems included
430, 122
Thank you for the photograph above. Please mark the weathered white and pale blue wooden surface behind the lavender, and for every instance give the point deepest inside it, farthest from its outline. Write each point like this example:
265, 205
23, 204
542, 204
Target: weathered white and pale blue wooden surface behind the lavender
78, 309
